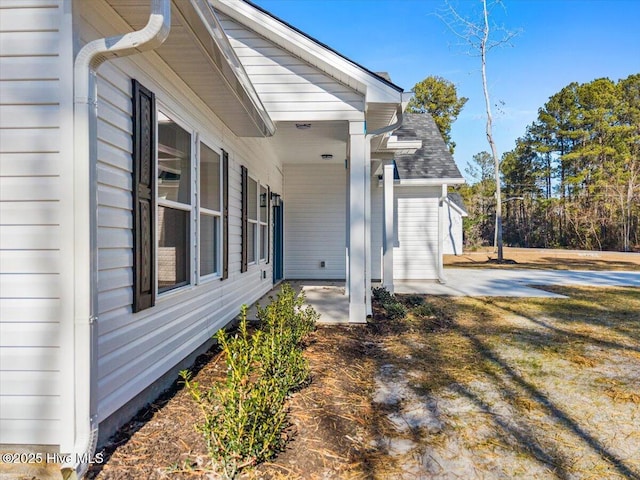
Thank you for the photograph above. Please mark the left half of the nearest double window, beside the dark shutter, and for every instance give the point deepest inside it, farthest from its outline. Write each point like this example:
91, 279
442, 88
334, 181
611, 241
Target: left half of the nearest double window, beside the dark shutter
174, 204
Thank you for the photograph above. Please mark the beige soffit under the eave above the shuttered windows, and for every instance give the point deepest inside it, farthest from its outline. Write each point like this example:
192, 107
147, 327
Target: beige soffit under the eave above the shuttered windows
200, 58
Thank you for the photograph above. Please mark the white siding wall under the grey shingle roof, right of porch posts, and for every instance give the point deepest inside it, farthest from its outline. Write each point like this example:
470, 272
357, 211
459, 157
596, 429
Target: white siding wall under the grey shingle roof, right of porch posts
415, 256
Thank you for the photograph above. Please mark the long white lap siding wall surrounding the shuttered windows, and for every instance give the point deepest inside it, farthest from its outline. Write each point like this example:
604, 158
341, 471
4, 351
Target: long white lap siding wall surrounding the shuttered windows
134, 350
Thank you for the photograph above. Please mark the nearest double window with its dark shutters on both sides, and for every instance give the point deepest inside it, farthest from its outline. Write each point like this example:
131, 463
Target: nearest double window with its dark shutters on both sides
180, 188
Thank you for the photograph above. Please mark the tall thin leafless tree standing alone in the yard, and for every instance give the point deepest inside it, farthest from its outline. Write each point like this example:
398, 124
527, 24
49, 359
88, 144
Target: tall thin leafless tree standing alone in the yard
477, 35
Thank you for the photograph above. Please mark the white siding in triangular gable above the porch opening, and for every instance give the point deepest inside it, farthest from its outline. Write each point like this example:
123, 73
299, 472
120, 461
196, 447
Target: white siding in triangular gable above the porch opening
289, 88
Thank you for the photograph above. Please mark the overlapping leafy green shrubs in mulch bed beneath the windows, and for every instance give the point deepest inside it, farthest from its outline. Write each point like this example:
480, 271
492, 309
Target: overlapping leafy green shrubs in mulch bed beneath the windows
246, 414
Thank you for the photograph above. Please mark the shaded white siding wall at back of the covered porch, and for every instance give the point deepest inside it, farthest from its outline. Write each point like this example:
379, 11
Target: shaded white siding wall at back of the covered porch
315, 204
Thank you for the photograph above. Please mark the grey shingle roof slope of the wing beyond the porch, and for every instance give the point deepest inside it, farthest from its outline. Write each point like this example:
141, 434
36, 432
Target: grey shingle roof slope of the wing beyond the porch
432, 162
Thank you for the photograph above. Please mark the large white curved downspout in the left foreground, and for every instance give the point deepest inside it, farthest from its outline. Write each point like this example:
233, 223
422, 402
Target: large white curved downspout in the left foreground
87, 61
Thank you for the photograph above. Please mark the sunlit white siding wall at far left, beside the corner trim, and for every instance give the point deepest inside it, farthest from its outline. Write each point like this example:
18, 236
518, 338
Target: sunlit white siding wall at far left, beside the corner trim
34, 276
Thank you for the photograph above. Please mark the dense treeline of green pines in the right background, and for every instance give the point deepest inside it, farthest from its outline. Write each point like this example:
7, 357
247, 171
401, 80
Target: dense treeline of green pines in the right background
573, 179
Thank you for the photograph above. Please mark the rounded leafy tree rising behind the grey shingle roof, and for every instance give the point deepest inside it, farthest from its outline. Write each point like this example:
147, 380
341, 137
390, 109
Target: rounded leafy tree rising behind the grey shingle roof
438, 97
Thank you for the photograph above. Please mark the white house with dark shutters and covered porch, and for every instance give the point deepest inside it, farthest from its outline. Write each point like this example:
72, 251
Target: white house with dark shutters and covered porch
161, 163
